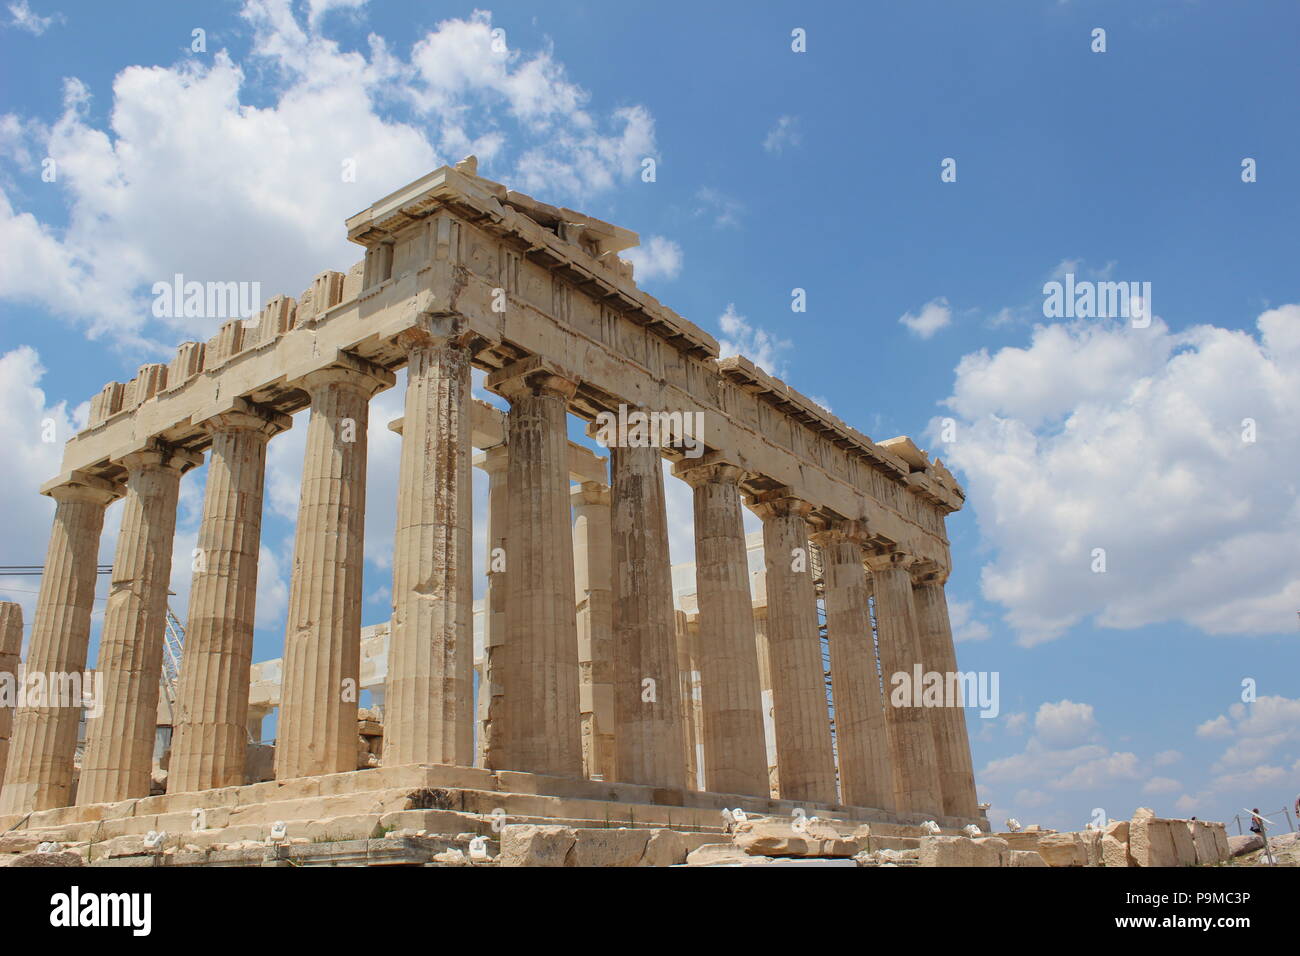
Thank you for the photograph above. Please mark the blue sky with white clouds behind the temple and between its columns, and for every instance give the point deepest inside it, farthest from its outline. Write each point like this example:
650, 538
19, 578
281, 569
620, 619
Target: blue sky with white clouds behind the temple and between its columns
777, 171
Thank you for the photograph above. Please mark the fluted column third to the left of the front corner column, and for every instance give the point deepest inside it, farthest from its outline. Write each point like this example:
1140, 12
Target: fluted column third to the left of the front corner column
119, 760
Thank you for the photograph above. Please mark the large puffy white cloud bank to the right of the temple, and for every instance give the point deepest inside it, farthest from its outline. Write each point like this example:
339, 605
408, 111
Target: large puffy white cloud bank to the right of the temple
1132, 440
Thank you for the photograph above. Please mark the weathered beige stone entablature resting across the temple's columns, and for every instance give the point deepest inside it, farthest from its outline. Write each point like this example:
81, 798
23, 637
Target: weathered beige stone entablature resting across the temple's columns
456, 240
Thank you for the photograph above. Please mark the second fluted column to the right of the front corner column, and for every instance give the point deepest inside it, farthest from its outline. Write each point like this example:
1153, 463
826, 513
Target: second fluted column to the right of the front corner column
647, 690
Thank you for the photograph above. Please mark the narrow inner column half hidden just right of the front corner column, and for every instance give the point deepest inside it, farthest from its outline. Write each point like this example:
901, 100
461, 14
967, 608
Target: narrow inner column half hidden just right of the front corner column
493, 461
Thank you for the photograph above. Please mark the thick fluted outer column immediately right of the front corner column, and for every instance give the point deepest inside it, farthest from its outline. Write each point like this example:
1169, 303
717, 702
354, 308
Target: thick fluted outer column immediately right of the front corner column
539, 729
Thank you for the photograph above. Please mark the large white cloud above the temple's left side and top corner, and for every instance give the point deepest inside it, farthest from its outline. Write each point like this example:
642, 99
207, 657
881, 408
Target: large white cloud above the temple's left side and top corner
257, 193
